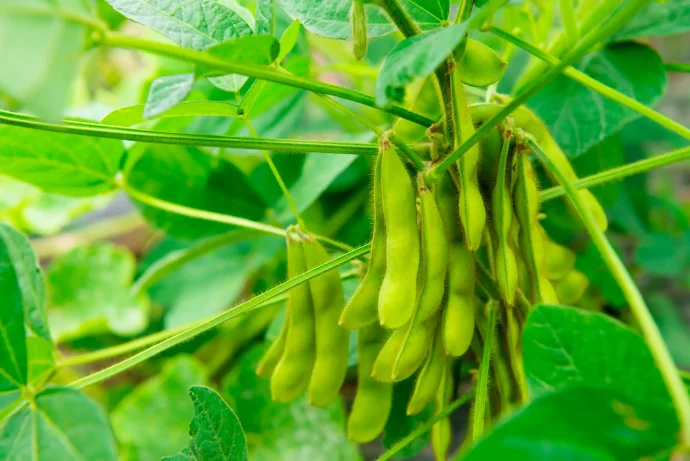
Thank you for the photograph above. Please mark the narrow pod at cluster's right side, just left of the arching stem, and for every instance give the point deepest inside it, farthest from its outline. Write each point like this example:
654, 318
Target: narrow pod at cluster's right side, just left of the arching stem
531, 243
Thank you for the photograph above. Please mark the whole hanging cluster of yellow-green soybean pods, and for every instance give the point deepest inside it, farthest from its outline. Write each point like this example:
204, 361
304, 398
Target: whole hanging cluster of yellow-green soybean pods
417, 306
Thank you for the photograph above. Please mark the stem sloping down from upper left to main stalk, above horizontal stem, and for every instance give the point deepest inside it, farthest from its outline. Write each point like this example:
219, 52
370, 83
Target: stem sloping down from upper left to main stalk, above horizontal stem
263, 73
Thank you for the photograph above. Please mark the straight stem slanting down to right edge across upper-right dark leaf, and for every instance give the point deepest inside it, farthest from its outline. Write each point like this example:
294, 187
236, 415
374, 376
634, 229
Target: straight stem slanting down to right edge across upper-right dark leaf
595, 85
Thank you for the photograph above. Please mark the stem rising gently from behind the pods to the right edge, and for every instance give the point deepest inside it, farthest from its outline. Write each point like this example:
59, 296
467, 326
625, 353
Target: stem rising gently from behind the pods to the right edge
620, 172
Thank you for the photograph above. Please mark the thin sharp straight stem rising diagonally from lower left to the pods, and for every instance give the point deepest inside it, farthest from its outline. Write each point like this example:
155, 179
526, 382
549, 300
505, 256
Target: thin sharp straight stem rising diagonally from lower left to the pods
195, 330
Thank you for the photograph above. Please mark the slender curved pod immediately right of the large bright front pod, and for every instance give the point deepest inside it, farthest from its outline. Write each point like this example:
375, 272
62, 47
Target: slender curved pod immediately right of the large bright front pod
434, 256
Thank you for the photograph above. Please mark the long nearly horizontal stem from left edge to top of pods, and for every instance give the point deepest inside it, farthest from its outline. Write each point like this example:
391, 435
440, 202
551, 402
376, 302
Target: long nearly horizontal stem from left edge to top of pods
158, 137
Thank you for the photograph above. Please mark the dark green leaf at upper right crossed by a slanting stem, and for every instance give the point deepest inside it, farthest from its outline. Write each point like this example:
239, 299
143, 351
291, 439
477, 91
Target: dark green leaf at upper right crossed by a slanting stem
578, 117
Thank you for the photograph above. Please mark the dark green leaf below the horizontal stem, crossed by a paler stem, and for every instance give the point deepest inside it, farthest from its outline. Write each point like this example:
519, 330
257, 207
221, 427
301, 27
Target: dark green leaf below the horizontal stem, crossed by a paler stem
209, 183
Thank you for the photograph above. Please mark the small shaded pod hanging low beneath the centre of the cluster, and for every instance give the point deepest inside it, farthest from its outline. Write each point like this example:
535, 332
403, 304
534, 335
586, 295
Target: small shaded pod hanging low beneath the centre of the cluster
429, 378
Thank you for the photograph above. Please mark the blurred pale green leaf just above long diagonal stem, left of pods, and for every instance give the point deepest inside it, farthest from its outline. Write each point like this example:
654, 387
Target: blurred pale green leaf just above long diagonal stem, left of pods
210, 283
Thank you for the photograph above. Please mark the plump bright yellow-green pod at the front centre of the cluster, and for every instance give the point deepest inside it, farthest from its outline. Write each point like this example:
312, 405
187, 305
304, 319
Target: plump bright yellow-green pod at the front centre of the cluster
398, 295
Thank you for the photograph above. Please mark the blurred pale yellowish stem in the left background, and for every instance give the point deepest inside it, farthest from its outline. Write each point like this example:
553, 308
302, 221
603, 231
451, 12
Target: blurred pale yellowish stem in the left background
49, 247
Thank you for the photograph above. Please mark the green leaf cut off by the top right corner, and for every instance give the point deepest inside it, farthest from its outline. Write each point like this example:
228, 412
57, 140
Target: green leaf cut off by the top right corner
658, 18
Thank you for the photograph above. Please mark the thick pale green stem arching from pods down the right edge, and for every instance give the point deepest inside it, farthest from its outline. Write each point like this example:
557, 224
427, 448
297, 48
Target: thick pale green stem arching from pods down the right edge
636, 302
